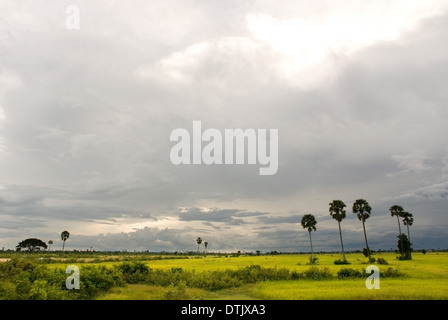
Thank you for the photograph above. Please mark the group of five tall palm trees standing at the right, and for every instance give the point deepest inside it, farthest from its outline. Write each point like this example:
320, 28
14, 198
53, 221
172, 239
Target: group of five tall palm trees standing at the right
363, 210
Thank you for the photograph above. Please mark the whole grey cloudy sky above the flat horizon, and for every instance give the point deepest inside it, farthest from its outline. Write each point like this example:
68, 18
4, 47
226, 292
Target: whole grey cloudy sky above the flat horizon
357, 91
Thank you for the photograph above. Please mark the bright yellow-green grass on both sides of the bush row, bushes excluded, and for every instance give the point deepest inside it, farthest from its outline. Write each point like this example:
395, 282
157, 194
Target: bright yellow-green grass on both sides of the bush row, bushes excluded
426, 277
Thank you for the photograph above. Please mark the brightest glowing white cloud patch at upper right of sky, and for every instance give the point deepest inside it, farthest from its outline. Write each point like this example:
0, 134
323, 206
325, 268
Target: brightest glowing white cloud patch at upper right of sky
314, 45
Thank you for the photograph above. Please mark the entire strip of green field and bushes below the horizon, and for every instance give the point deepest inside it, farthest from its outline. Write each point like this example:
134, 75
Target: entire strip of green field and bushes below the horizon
149, 276
